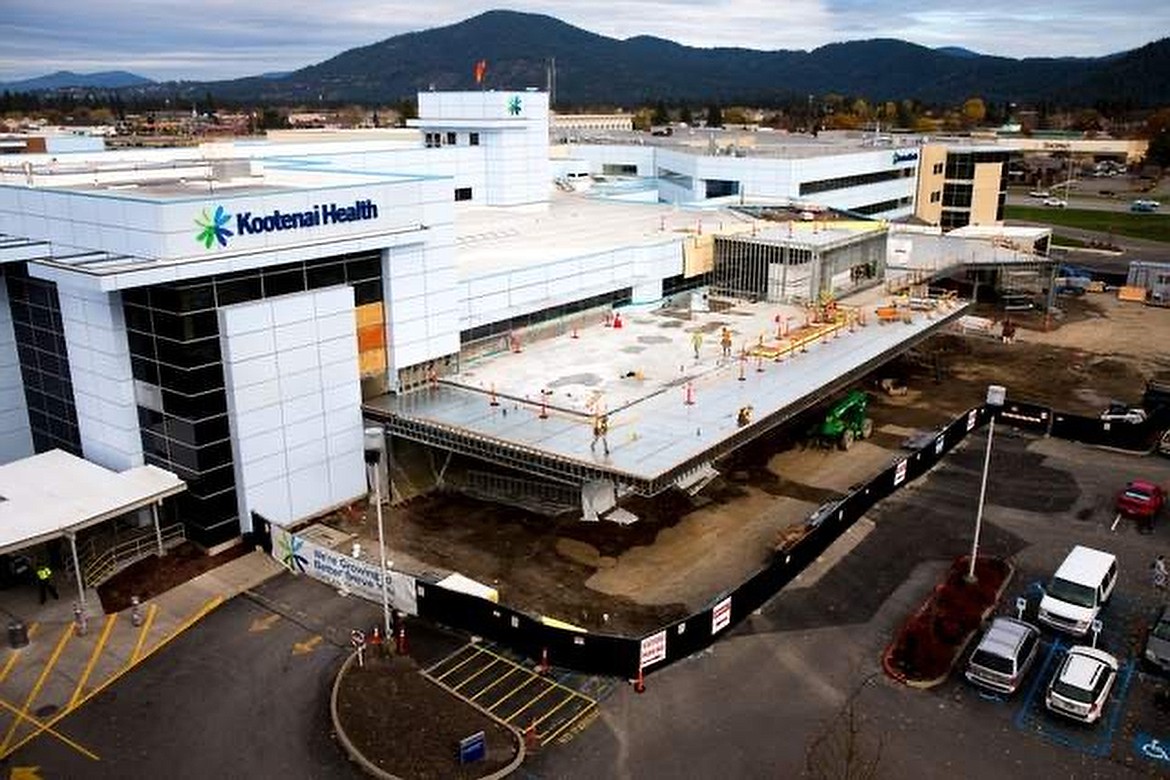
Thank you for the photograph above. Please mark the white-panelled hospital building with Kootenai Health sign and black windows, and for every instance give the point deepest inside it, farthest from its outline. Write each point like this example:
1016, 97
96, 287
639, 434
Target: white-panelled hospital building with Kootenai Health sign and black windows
223, 313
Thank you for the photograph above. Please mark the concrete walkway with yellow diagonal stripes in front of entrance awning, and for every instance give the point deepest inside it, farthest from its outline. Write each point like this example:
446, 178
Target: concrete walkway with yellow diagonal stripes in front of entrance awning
60, 669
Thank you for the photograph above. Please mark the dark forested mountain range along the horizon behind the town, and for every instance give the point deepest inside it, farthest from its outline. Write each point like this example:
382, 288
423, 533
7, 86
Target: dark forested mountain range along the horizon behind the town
597, 71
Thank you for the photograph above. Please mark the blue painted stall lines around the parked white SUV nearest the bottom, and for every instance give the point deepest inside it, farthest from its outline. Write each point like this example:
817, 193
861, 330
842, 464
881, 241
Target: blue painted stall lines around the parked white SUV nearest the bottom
1095, 740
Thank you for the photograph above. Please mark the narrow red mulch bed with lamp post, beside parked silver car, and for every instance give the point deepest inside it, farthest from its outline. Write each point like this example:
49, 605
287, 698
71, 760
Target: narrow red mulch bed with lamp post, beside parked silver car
933, 638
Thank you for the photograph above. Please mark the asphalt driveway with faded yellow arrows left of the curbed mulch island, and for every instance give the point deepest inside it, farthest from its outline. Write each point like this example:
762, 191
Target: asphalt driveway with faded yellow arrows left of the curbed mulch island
245, 694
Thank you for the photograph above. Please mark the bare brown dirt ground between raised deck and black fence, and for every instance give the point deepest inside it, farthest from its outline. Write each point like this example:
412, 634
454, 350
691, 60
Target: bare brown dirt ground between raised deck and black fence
683, 554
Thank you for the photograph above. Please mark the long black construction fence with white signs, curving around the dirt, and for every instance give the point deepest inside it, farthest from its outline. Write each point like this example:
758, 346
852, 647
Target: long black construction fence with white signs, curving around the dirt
624, 657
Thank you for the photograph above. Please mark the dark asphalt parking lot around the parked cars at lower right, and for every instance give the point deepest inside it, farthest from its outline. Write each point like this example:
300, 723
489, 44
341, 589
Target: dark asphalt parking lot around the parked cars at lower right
807, 667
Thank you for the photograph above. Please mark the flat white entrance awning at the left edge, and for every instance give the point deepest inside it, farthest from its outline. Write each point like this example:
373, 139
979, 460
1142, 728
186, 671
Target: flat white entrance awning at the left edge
53, 494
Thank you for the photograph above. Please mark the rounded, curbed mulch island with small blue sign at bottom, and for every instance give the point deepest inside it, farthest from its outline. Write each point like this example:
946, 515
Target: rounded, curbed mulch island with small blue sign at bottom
410, 727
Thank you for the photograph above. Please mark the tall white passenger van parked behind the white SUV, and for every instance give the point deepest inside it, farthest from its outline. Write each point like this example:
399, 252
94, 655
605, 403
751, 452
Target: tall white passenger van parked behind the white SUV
1078, 590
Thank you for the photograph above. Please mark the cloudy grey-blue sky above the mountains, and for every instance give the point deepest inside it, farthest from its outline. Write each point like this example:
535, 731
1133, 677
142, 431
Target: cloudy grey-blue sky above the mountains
225, 39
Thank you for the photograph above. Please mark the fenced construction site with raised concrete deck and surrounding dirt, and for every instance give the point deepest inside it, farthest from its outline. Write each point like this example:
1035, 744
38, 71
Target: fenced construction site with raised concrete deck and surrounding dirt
629, 468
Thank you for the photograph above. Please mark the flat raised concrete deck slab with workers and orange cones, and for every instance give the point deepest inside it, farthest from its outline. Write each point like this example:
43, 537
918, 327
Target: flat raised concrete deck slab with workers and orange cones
549, 394
